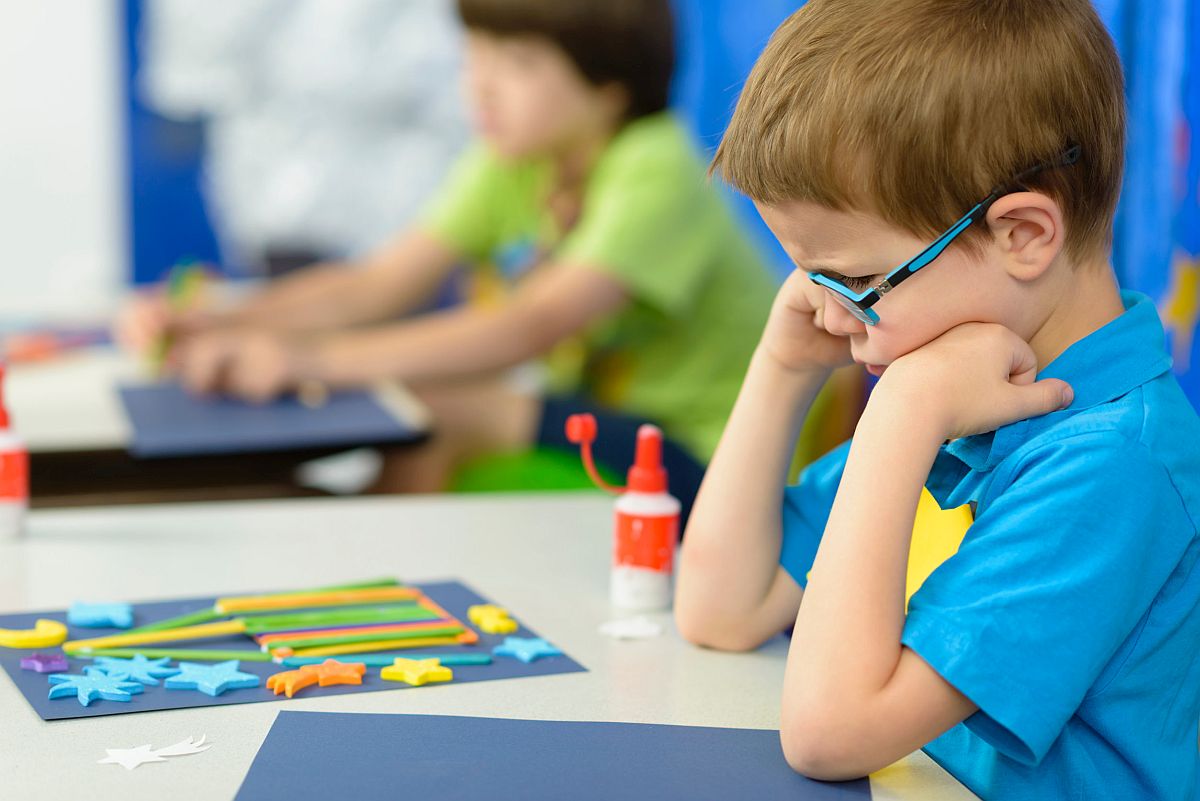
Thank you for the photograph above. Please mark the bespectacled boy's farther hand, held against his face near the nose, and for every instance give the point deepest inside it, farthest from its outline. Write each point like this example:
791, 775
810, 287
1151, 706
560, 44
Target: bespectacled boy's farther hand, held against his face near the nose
794, 338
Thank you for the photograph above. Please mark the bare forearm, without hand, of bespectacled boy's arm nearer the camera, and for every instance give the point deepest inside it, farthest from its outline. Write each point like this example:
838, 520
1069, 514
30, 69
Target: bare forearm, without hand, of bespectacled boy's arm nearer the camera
847, 645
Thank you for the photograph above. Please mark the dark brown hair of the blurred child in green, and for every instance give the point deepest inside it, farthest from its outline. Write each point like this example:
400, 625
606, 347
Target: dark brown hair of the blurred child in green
631, 43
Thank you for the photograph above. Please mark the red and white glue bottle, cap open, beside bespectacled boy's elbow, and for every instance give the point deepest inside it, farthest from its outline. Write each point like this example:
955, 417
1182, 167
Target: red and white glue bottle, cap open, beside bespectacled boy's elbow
647, 521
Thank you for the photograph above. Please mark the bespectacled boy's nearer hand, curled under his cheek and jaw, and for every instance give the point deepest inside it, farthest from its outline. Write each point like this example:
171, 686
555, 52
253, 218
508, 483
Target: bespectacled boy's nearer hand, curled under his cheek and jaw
975, 378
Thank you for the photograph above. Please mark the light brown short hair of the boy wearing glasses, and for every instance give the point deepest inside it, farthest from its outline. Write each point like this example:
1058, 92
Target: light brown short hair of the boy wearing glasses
916, 110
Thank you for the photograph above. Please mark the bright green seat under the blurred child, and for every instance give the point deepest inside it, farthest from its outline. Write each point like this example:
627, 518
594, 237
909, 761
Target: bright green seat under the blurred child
536, 471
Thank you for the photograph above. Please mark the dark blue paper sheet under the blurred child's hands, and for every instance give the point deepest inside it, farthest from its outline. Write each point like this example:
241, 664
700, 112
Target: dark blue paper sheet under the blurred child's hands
170, 423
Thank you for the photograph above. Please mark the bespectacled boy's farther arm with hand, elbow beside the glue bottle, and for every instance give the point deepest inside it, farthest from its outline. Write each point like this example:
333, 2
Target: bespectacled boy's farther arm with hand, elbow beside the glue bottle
731, 592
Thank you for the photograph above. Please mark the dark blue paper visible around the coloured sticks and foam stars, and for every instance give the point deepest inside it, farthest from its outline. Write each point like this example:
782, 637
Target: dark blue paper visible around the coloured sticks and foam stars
452, 597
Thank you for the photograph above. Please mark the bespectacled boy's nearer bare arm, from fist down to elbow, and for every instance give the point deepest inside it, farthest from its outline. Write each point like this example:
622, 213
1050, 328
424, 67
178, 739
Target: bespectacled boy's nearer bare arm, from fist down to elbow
855, 700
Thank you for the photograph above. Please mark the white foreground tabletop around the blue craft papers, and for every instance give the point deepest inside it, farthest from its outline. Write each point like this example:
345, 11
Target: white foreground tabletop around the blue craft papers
544, 557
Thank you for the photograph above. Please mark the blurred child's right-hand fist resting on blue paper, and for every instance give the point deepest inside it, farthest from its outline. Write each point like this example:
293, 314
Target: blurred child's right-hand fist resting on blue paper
251, 365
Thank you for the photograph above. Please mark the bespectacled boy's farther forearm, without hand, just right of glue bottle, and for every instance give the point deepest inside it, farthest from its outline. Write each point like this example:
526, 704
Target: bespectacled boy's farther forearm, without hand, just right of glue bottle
730, 555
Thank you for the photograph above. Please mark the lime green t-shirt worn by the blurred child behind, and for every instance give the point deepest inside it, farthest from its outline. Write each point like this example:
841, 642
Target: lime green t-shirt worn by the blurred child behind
700, 293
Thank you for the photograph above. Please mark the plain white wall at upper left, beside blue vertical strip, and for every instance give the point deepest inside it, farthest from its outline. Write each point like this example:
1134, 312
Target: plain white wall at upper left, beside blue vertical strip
63, 233
